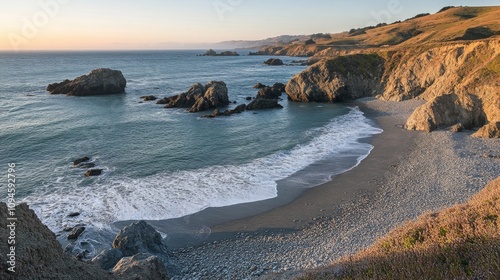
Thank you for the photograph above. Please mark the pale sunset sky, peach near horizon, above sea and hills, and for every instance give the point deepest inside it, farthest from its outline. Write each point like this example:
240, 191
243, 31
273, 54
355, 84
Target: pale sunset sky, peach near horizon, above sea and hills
178, 24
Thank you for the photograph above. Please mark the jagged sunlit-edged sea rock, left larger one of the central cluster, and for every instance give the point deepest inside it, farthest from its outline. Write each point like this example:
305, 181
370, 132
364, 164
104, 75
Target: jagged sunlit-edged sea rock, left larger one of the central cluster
200, 98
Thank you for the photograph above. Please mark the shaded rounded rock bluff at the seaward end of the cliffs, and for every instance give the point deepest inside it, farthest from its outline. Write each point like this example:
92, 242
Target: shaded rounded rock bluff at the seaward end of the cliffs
338, 79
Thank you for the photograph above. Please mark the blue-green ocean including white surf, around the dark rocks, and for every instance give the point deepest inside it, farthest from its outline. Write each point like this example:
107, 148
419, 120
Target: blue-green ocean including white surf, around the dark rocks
161, 163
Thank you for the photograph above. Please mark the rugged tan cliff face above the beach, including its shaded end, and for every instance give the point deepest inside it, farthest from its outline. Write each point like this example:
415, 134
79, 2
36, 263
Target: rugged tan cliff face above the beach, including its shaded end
460, 81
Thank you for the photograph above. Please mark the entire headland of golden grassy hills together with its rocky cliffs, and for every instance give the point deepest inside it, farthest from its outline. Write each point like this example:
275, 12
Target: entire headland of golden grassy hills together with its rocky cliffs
450, 59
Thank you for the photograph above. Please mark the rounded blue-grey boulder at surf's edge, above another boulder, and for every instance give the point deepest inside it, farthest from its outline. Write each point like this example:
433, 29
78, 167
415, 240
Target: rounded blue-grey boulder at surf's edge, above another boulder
139, 237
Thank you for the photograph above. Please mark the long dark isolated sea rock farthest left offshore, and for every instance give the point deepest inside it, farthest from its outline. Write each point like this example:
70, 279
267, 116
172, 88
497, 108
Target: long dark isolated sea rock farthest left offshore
97, 82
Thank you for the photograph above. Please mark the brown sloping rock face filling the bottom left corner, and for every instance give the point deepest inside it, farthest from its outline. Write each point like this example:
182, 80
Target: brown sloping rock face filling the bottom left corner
38, 254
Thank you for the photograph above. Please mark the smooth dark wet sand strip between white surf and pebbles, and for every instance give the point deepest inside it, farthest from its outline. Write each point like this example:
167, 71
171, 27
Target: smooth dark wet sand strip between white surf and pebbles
300, 206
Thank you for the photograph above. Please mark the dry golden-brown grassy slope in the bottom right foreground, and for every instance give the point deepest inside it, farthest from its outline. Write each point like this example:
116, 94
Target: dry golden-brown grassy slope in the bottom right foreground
462, 242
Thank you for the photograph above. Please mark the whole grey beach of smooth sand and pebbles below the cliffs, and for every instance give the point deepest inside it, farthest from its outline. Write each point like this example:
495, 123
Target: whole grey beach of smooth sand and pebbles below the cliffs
407, 173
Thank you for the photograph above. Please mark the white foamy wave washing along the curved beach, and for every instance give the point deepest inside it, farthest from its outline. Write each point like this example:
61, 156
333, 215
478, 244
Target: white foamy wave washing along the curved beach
171, 195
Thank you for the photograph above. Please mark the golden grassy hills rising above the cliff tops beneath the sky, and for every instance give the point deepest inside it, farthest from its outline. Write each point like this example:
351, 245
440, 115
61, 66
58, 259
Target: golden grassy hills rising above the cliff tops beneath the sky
449, 25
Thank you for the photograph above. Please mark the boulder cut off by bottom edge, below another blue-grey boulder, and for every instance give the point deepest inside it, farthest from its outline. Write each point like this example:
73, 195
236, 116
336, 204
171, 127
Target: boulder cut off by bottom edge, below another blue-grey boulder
140, 266
